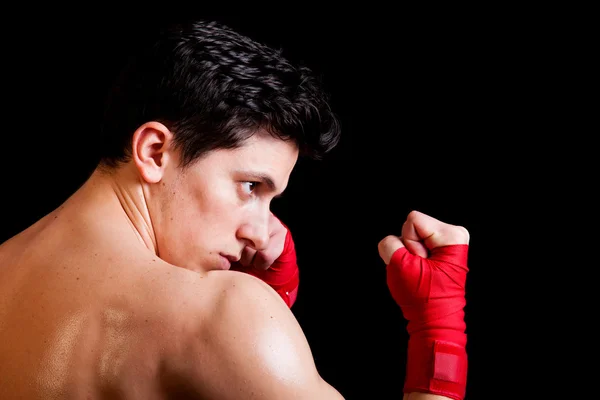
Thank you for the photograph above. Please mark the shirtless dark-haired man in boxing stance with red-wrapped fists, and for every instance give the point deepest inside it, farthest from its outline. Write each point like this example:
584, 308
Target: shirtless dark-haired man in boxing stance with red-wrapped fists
143, 284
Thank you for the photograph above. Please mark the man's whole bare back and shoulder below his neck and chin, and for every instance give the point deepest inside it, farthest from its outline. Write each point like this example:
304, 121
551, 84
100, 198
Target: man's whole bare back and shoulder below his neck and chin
87, 311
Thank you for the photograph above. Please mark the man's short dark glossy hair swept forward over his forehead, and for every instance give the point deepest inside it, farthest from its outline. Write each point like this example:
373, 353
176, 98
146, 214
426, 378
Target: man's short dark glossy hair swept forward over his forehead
214, 87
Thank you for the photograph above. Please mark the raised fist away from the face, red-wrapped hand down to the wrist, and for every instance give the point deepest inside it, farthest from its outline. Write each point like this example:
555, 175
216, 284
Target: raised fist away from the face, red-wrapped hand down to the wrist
426, 268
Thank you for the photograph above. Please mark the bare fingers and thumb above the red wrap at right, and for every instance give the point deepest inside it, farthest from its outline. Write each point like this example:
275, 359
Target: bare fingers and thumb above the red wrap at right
420, 235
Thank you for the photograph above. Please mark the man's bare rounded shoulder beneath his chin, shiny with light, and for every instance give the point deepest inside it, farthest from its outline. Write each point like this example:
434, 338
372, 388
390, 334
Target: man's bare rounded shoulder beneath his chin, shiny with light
242, 341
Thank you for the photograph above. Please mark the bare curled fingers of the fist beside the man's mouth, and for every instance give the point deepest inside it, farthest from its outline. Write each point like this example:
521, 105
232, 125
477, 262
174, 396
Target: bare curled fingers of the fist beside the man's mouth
264, 258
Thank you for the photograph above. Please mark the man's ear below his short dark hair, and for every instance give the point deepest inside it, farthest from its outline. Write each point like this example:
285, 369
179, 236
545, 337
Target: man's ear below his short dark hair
152, 150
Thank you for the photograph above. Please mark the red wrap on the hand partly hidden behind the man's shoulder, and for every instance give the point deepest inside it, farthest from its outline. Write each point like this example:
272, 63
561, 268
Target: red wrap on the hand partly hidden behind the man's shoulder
283, 274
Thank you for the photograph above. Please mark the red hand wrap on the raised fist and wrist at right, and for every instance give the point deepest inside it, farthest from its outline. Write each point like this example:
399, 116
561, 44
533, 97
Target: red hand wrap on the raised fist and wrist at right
431, 294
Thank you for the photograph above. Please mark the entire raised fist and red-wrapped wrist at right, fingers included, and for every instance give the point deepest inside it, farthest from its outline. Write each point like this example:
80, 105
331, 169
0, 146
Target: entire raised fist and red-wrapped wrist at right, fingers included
426, 270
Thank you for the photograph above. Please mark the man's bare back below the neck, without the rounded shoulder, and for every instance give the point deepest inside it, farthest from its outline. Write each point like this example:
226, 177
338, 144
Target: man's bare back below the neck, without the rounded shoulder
82, 318
